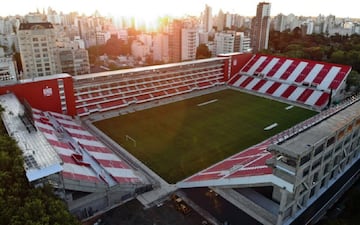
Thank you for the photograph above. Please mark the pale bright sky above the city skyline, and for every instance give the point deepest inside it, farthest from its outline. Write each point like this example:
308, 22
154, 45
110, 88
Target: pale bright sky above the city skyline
154, 8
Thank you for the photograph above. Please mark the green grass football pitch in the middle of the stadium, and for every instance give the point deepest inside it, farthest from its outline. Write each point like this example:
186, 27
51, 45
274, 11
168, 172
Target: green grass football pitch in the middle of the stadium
179, 139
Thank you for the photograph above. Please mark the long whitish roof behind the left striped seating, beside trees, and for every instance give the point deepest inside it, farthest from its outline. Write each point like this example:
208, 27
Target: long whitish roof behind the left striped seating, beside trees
40, 158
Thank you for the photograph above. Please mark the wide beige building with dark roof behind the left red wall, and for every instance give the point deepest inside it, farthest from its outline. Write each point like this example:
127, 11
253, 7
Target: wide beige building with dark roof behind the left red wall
37, 43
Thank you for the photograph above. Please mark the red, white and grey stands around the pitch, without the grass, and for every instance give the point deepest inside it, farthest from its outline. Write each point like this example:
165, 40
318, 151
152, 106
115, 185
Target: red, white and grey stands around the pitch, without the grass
302, 165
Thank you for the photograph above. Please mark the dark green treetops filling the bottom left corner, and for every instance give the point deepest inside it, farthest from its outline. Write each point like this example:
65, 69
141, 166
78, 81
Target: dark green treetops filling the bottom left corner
21, 203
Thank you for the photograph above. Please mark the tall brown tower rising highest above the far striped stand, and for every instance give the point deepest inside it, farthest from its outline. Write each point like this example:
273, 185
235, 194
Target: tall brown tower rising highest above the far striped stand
260, 27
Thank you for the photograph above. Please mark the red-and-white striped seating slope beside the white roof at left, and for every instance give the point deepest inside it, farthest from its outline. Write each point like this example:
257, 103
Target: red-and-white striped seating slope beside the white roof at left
84, 157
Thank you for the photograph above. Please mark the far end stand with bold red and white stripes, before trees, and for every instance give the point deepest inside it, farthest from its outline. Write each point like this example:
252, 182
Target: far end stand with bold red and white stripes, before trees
297, 80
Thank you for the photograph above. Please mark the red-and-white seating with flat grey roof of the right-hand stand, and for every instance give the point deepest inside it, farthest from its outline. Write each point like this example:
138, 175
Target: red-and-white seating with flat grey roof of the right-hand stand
248, 167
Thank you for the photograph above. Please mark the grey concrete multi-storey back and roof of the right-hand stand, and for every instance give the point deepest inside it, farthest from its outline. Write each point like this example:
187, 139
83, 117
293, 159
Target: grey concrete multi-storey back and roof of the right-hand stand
314, 160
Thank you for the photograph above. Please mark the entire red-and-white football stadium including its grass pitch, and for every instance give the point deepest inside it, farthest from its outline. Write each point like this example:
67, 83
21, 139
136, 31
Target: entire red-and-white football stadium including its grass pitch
229, 123
